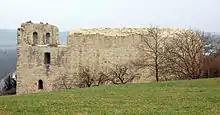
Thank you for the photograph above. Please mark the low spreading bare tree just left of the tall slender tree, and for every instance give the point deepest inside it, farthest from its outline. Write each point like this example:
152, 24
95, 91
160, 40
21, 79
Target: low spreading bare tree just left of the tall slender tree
123, 74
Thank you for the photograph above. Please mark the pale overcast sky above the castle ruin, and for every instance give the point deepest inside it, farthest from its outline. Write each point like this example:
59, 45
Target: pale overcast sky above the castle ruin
74, 14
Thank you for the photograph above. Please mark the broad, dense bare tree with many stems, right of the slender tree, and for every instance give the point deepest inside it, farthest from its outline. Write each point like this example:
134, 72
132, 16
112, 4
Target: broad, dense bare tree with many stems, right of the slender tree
184, 55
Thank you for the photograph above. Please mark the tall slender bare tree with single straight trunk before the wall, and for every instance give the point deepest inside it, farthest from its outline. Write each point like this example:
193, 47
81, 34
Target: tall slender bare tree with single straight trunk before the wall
152, 45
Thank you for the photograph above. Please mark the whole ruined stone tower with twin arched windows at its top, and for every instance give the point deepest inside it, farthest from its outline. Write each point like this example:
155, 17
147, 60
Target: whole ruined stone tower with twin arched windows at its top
39, 57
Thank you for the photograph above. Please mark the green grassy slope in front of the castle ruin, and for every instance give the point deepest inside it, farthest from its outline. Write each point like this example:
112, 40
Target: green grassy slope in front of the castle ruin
193, 97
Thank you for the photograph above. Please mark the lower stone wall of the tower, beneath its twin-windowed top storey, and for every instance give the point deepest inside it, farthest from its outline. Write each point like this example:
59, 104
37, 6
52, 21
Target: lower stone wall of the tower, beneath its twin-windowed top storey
31, 68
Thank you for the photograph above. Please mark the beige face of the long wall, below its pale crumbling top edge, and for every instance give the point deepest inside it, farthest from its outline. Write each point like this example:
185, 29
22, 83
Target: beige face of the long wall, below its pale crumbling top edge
100, 51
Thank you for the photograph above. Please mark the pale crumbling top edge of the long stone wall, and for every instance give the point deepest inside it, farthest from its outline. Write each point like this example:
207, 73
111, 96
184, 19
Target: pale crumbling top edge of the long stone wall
80, 34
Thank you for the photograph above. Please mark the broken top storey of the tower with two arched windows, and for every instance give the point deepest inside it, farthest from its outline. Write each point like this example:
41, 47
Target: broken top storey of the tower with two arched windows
38, 34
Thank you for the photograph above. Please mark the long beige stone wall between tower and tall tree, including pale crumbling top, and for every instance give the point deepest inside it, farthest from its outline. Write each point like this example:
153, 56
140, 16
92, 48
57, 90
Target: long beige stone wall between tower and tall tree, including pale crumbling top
103, 48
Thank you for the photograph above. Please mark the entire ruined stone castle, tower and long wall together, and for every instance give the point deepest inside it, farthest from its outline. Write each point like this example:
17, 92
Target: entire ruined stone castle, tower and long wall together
42, 60
